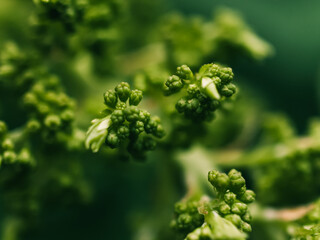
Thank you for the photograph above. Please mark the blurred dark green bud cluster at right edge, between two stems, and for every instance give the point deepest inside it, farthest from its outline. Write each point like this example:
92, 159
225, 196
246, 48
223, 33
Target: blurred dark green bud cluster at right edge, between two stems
287, 176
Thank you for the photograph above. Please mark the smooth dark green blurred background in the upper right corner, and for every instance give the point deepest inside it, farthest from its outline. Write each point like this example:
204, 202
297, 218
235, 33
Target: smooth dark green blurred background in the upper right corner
289, 81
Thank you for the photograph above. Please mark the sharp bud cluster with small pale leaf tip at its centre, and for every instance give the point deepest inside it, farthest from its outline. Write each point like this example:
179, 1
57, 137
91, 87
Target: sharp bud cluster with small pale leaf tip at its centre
205, 91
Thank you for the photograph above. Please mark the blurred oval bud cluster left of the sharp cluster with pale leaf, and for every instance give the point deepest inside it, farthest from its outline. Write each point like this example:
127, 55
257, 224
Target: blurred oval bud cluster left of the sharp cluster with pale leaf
50, 110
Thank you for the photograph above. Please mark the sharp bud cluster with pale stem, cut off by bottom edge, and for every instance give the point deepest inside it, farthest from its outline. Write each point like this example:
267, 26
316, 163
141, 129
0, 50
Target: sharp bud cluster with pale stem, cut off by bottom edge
224, 217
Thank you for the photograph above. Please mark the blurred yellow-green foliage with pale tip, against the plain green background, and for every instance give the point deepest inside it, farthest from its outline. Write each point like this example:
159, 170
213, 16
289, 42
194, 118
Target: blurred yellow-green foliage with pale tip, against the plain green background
194, 41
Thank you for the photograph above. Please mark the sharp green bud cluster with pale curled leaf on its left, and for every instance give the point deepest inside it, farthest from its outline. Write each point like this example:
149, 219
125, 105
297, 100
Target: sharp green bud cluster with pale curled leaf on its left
125, 124
